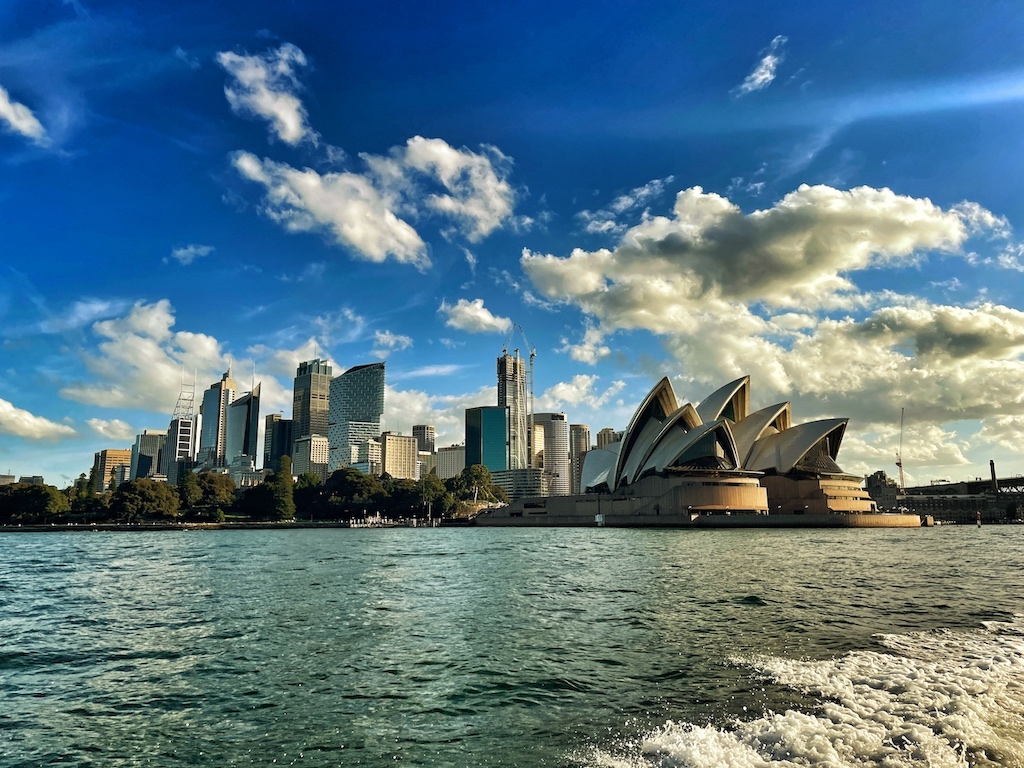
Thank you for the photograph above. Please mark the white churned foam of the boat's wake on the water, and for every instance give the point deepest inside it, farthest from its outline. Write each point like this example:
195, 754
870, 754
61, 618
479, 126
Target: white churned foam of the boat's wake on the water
940, 699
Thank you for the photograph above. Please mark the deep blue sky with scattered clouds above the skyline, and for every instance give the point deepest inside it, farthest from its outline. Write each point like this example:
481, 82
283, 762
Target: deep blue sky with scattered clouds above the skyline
826, 197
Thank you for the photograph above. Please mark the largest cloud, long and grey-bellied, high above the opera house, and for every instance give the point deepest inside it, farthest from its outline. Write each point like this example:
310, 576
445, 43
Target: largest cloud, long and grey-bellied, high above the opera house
795, 254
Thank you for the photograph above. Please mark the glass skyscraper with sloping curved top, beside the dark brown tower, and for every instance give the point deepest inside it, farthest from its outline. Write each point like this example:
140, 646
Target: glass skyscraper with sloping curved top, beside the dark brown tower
357, 408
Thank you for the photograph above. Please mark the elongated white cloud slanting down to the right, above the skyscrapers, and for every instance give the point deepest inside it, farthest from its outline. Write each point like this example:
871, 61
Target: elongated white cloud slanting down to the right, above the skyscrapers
347, 206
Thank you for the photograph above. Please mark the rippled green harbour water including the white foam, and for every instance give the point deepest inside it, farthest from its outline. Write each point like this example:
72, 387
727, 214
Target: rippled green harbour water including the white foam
590, 648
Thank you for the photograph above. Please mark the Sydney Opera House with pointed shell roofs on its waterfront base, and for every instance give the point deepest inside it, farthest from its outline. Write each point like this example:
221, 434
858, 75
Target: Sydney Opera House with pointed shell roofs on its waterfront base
714, 465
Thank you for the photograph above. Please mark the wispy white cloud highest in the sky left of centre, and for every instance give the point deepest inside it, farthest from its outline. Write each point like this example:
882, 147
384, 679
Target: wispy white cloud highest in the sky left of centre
265, 87
